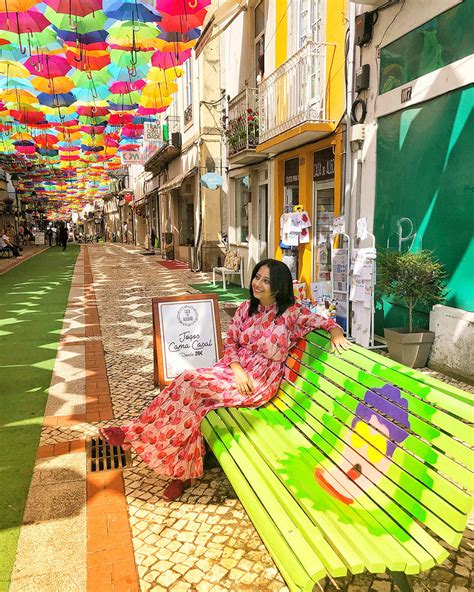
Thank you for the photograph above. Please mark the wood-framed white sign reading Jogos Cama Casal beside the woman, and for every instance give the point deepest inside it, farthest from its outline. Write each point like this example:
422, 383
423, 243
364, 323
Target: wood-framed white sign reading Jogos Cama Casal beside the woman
186, 335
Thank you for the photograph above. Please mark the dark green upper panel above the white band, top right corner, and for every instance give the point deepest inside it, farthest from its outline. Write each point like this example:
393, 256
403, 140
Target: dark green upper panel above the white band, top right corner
440, 41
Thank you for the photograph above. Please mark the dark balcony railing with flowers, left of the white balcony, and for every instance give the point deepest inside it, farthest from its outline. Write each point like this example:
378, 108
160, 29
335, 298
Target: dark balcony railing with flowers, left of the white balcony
242, 127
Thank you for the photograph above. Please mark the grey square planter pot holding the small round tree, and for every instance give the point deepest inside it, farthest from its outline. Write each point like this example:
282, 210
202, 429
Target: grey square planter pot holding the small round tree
411, 349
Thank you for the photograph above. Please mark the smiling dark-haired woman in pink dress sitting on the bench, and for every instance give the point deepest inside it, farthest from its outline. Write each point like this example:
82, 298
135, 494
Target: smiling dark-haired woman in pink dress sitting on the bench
167, 435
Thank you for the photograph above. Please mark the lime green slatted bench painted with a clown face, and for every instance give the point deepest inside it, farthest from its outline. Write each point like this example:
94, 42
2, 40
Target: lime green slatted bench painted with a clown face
359, 463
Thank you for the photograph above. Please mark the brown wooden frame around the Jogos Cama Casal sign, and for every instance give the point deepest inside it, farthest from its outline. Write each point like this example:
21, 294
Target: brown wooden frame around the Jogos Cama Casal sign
159, 339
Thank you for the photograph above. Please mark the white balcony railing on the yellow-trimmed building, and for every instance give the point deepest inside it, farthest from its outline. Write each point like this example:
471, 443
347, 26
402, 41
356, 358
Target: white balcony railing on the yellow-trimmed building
294, 93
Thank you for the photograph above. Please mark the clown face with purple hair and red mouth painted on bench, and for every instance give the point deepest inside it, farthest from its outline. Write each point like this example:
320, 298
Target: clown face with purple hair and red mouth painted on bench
369, 445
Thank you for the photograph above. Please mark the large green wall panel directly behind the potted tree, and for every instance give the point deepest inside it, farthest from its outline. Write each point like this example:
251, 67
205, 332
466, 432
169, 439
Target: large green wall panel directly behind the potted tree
425, 177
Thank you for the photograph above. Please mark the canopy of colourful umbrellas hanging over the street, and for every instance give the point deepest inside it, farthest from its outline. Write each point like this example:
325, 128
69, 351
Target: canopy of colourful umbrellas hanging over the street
78, 81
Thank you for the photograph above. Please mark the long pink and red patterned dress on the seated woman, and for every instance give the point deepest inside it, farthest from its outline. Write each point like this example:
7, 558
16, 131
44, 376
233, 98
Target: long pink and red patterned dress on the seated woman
167, 435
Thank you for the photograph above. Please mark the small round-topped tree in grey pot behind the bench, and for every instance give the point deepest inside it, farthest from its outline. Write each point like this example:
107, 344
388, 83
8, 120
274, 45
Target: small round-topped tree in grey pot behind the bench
410, 278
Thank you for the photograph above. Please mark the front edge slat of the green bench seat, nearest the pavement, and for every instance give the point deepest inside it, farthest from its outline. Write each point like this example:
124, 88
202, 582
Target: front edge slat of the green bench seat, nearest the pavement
287, 562
